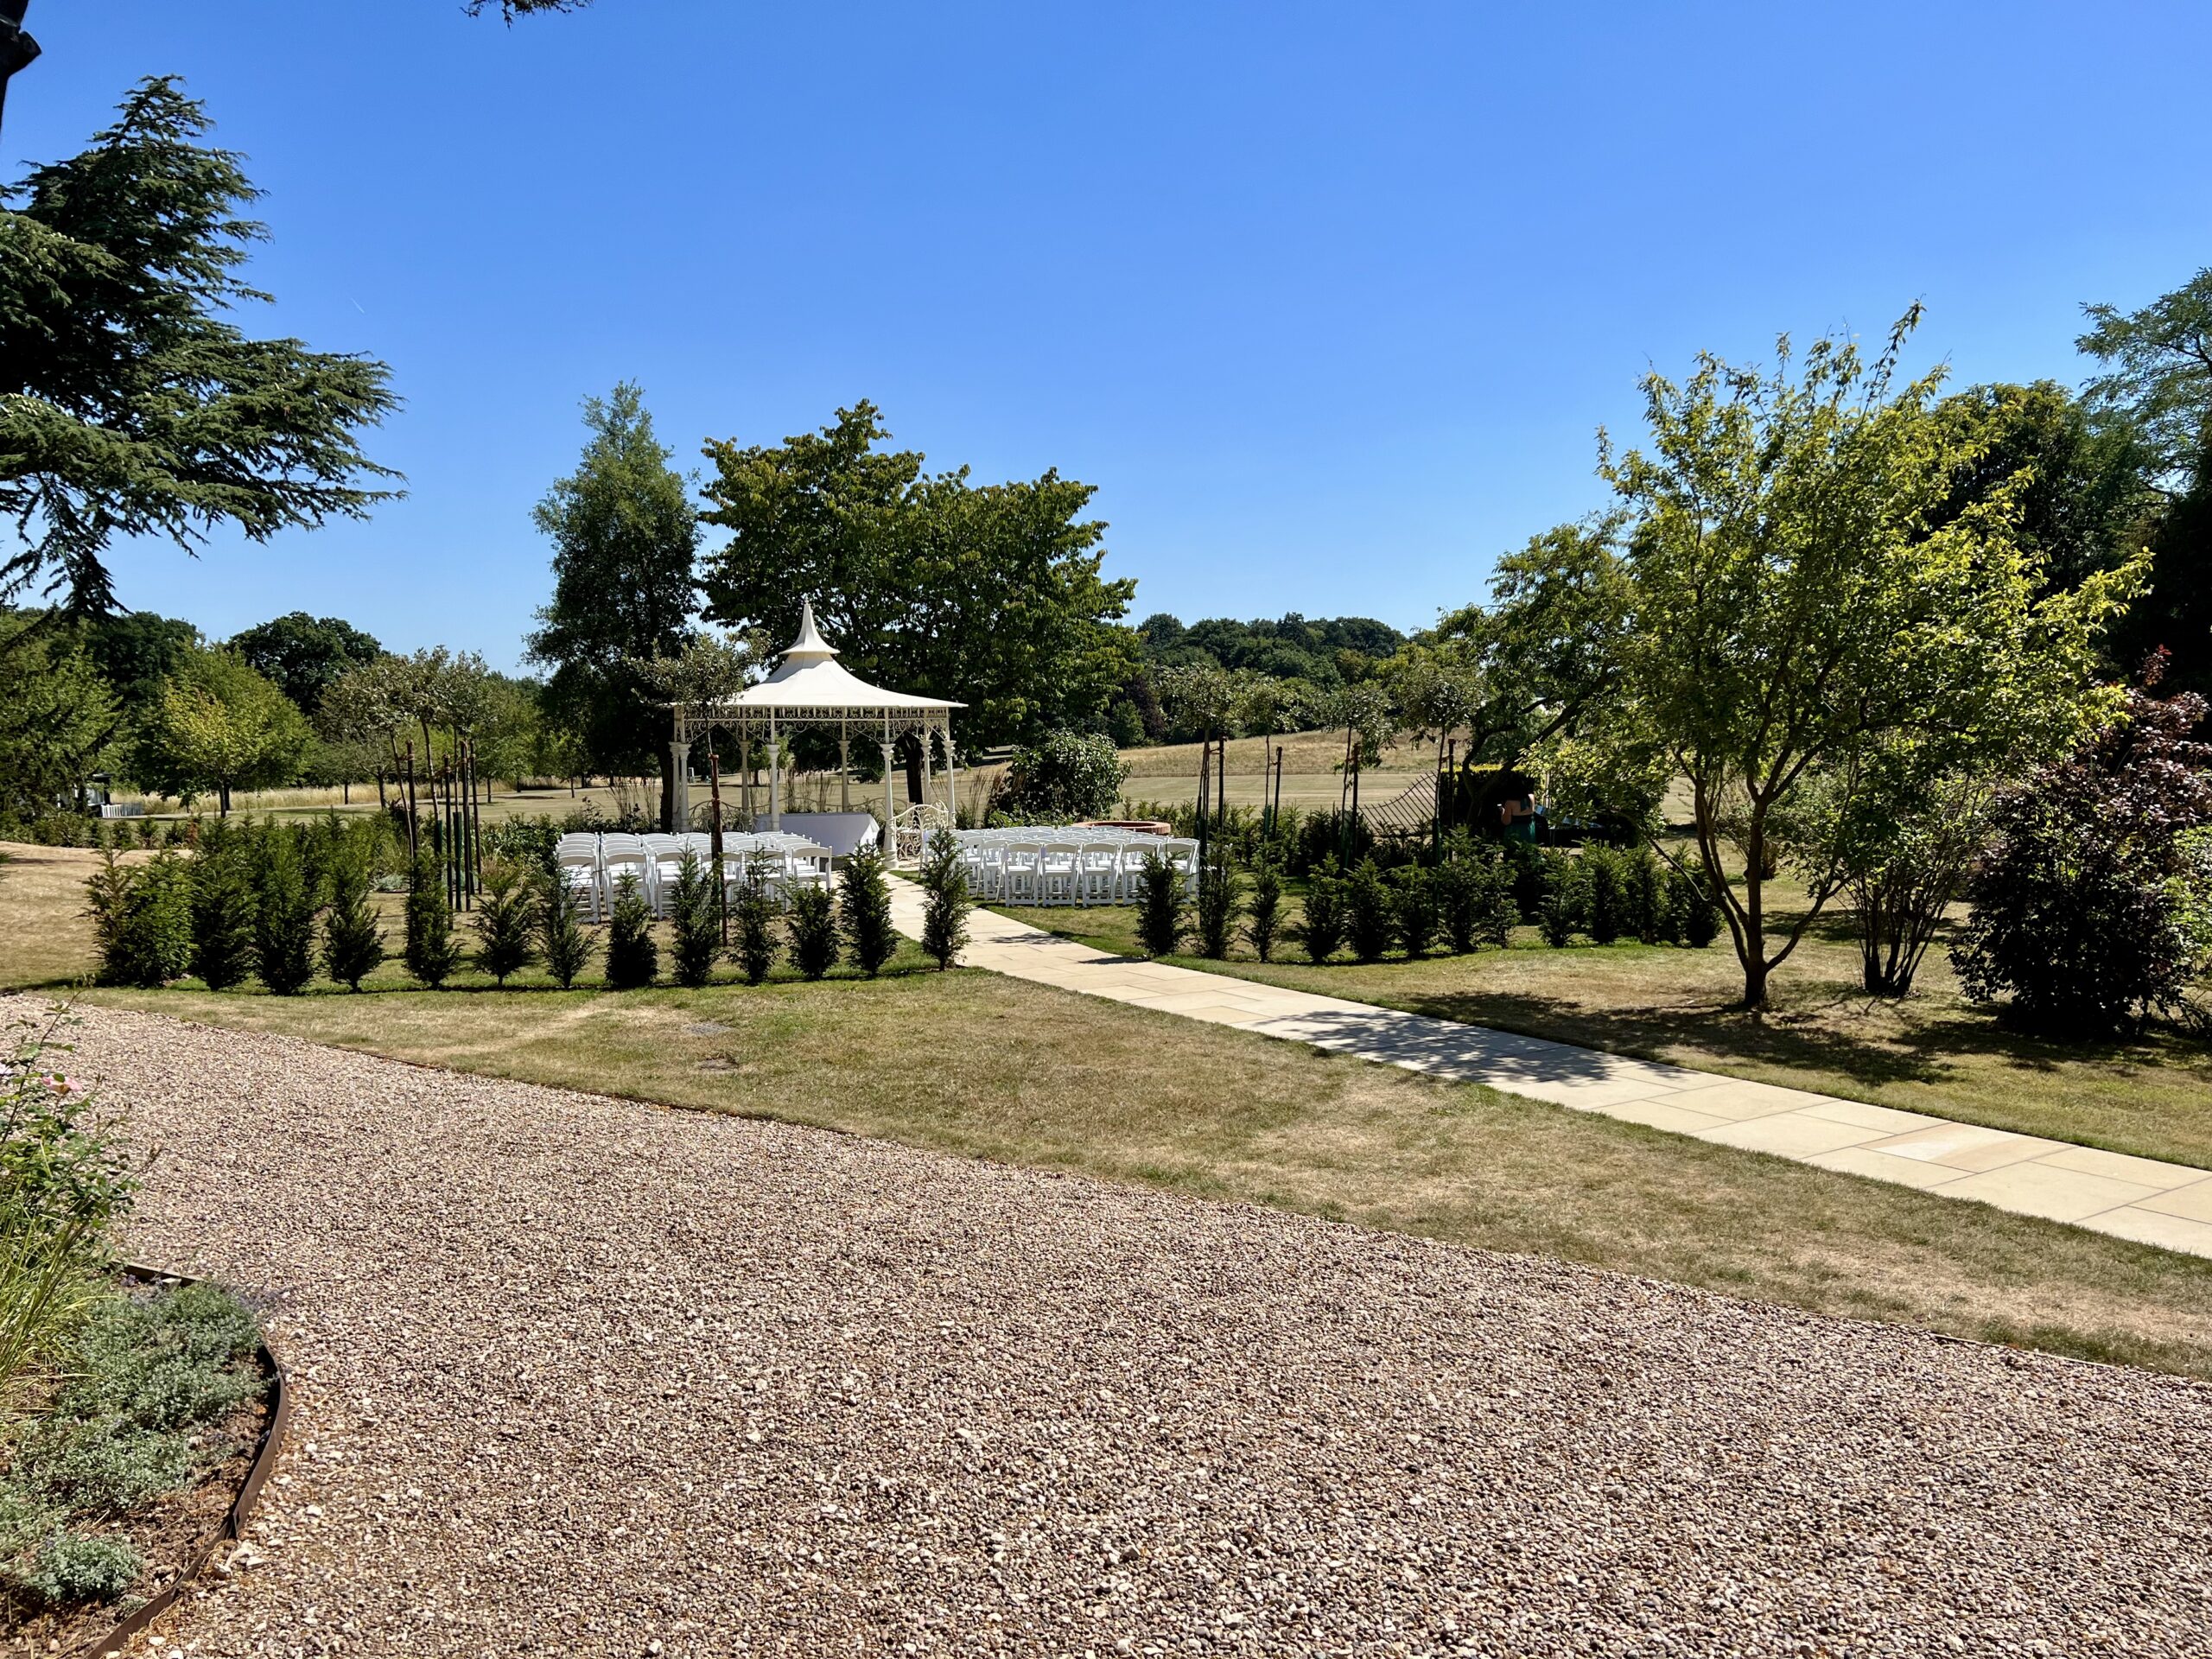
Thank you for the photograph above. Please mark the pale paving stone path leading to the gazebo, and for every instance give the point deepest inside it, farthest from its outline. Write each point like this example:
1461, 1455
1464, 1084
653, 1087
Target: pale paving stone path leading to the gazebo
2133, 1198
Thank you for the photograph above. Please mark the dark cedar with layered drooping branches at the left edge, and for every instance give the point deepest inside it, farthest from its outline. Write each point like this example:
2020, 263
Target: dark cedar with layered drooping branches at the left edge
132, 404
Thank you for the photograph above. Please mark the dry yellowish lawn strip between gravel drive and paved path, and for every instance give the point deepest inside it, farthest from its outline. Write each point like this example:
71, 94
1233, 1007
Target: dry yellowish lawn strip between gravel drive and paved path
1021, 1074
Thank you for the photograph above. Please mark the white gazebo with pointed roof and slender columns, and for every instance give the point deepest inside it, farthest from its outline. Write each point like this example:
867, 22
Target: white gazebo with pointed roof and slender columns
813, 689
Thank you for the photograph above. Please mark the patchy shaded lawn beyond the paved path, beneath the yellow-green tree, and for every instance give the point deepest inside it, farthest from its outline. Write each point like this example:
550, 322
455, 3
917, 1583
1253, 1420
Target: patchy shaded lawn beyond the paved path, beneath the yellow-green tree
1932, 1054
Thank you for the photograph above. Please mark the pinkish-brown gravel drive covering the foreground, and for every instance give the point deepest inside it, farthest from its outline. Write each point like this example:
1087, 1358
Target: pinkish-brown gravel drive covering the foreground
592, 1377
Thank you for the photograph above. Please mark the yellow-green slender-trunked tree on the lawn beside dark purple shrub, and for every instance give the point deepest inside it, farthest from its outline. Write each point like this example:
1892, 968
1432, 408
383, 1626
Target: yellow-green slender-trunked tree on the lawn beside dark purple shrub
1795, 607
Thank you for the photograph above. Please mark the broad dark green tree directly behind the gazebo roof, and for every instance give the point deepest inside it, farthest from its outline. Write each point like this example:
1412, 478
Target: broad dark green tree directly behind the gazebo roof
928, 583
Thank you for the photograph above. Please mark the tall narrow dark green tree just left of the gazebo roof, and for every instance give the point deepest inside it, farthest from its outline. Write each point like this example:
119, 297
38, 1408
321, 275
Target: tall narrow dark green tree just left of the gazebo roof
625, 534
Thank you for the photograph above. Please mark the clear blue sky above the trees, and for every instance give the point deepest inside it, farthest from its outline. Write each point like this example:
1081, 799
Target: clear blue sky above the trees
1328, 302
